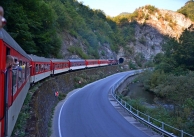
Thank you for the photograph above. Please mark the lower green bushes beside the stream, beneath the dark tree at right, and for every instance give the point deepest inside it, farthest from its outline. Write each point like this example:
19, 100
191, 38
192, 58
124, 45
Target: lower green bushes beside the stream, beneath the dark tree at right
175, 89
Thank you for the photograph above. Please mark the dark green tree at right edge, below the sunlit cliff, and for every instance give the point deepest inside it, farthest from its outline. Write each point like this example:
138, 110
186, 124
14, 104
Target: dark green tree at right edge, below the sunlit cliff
178, 56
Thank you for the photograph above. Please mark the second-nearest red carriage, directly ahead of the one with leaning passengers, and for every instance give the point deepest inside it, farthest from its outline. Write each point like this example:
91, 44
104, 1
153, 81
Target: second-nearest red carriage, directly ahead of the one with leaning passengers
41, 68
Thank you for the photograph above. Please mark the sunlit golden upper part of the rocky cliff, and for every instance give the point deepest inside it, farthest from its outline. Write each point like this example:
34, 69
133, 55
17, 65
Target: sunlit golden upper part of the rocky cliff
167, 22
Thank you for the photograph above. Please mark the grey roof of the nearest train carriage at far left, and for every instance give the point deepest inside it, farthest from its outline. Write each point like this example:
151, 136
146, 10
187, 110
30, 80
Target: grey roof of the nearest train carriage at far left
11, 42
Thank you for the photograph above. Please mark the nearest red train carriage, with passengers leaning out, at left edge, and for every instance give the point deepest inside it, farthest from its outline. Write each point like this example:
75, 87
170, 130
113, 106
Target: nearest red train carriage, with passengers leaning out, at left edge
14, 83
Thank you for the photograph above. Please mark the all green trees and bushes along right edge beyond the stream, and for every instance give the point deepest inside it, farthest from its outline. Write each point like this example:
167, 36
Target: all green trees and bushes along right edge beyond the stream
172, 80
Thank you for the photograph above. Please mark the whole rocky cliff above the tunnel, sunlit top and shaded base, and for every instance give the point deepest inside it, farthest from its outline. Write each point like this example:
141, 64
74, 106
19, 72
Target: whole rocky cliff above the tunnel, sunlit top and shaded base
154, 27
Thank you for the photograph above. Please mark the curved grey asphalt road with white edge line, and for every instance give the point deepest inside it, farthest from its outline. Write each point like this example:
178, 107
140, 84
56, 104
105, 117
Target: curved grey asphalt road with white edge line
89, 113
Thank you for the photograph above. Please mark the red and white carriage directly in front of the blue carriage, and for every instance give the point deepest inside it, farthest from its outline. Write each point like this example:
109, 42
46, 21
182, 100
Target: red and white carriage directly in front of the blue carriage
59, 66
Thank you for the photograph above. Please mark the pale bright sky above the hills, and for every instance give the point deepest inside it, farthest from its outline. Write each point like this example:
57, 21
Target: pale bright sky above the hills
115, 7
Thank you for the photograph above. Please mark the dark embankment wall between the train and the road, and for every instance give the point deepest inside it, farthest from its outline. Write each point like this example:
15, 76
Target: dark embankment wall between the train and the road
44, 101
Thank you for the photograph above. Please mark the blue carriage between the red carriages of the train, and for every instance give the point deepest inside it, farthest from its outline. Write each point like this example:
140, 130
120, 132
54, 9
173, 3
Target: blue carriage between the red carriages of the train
75, 64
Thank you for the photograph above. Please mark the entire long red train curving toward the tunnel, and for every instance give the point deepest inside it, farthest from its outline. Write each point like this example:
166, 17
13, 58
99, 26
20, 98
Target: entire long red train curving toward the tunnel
15, 83
